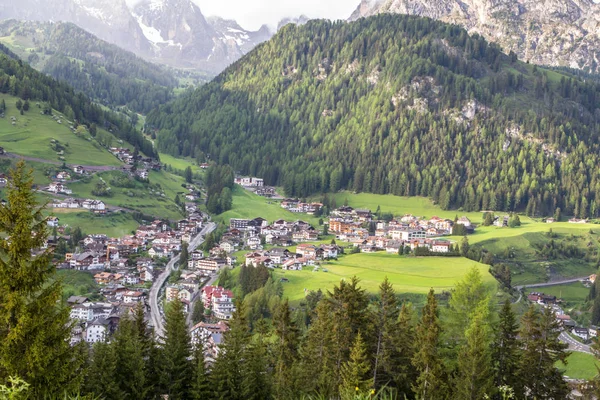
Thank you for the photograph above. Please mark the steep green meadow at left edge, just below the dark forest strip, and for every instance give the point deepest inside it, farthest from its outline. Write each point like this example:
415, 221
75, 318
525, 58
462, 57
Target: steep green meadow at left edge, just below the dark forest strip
31, 136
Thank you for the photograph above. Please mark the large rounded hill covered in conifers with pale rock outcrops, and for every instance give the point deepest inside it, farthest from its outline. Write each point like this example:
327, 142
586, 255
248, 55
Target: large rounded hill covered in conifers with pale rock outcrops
397, 104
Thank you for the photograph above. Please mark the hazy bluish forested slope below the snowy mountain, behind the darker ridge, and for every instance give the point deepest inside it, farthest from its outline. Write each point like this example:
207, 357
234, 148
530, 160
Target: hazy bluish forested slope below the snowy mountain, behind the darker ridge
104, 72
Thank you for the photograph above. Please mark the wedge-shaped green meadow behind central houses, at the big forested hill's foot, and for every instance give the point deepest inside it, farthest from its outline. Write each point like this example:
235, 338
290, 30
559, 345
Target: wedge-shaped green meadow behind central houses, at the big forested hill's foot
248, 205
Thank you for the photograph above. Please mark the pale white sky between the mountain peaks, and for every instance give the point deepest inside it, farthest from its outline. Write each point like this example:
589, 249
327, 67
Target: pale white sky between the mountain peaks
251, 14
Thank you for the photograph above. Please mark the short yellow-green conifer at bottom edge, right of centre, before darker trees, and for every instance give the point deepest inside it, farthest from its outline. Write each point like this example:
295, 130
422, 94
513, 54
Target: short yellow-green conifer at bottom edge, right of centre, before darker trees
356, 372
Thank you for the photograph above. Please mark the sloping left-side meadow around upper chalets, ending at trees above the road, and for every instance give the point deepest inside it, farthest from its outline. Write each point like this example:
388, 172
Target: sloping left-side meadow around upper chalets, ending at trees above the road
156, 198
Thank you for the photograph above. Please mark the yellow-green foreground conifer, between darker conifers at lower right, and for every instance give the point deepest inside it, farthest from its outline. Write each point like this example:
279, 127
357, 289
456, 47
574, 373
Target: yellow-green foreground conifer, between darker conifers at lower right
474, 378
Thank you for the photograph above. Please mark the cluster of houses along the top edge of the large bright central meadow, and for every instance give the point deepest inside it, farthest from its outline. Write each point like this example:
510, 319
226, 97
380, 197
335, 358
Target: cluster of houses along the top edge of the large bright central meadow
358, 227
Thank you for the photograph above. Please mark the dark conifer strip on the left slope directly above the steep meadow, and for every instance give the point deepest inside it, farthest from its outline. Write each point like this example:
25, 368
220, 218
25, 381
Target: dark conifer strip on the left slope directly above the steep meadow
19, 79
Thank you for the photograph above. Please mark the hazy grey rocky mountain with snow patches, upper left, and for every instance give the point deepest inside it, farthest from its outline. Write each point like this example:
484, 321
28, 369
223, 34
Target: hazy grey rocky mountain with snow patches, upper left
172, 32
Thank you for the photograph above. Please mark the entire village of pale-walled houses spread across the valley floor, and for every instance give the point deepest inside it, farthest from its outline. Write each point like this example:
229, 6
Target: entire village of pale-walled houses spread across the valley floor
125, 268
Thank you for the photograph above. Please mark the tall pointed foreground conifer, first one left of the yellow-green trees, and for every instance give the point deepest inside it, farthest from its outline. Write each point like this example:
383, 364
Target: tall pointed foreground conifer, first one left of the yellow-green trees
431, 382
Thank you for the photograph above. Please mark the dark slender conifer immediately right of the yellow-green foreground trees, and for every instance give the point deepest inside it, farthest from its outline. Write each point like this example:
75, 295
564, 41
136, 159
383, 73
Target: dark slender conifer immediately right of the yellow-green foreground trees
506, 353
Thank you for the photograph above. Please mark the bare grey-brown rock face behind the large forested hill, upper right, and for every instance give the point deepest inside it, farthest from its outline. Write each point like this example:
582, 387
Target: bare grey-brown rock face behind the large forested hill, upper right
546, 32
